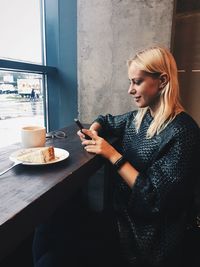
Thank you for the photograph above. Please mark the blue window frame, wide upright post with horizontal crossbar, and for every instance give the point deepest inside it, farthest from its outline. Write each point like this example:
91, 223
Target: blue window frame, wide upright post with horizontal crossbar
59, 64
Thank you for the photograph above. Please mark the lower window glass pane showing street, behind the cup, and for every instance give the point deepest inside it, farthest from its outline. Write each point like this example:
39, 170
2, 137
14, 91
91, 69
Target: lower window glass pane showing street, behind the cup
21, 104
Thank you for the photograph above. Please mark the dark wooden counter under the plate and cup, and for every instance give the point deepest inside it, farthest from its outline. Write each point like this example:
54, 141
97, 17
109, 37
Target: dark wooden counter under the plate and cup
29, 194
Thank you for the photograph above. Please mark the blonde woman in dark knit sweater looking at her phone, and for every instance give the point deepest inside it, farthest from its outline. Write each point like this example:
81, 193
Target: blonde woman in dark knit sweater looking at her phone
156, 162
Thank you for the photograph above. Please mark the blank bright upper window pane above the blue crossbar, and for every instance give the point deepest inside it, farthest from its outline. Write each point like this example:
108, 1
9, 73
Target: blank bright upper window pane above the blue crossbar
21, 30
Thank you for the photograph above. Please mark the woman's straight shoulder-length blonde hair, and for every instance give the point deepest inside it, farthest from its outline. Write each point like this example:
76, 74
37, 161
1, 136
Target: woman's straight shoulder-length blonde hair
159, 60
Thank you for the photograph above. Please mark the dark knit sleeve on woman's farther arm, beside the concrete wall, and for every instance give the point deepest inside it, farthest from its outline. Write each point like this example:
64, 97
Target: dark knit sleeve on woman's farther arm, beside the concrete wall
115, 125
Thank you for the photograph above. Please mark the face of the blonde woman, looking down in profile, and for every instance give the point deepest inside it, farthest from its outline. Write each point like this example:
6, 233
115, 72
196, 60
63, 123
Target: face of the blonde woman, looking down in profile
144, 88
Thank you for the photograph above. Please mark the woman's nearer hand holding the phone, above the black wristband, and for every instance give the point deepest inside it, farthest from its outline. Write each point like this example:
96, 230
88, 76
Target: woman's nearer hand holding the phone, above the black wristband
99, 146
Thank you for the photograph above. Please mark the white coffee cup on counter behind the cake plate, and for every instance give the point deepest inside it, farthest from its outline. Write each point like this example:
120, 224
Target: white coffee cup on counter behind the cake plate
33, 136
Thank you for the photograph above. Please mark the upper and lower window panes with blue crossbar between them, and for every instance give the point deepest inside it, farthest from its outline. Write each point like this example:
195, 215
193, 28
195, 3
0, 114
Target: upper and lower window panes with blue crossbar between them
22, 68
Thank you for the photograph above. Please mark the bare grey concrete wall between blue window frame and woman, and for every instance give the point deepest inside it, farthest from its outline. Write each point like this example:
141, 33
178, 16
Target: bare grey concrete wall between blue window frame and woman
109, 33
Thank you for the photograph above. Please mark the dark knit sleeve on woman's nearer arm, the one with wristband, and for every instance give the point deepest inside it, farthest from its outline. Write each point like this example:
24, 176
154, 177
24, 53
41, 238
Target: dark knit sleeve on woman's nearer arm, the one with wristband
165, 185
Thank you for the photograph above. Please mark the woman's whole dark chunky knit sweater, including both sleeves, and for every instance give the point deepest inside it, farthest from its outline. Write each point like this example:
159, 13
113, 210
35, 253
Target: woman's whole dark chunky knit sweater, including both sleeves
152, 214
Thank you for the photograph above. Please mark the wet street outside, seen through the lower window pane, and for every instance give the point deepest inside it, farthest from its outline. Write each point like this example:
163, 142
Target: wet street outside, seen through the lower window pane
16, 112
